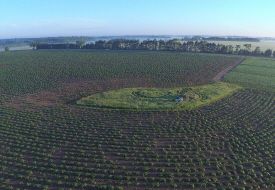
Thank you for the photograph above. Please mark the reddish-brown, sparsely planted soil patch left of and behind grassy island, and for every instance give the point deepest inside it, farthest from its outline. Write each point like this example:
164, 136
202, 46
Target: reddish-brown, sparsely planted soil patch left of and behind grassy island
73, 89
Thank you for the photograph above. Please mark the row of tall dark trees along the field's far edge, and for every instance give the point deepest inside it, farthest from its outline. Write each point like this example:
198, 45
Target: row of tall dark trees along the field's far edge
160, 45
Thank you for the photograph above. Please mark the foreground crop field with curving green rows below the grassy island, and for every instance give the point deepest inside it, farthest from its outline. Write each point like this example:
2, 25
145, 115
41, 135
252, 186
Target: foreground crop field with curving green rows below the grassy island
226, 145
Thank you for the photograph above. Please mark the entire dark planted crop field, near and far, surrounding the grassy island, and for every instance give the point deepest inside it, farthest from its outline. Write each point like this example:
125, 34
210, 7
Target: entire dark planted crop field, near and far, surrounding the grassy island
48, 143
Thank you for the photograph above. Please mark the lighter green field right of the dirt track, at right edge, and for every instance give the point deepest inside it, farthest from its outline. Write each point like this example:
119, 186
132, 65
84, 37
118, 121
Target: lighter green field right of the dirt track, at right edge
254, 72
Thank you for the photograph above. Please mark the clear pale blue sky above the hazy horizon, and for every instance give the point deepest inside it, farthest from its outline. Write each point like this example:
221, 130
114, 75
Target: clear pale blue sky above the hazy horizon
51, 18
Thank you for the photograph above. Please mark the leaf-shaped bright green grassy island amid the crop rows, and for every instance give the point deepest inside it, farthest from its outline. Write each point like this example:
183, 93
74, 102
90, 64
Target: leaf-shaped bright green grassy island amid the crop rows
158, 98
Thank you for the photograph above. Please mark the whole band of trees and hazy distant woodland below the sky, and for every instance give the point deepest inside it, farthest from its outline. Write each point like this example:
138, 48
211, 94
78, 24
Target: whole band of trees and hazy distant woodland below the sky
185, 44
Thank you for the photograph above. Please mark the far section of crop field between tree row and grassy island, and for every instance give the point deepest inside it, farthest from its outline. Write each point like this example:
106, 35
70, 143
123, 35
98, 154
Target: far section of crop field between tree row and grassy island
29, 72
